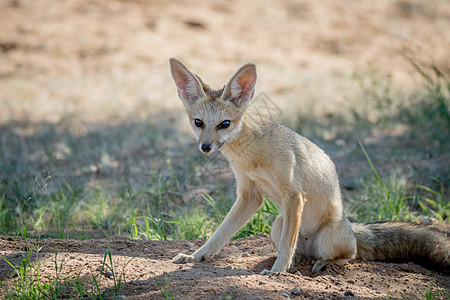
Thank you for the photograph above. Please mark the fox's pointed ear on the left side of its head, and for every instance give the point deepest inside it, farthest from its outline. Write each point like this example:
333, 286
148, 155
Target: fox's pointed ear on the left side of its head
189, 88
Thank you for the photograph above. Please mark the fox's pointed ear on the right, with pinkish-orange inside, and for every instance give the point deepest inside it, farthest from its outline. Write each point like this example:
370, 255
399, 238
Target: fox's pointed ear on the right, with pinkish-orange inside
241, 87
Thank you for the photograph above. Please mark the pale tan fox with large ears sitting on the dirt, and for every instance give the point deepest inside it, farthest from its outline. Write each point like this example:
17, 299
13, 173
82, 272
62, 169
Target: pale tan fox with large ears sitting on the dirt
269, 159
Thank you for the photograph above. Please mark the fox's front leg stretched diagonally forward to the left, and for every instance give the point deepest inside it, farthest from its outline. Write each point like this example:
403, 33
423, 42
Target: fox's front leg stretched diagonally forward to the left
248, 201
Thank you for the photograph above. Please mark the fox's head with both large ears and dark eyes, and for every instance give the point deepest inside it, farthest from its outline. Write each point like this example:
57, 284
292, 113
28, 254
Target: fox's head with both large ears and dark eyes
215, 115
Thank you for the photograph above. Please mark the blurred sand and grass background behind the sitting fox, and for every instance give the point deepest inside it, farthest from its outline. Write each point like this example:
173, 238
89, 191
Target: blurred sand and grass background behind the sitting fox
93, 136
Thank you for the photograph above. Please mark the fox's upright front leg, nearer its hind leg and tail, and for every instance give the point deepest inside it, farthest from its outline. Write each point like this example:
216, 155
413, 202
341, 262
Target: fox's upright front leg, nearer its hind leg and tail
292, 212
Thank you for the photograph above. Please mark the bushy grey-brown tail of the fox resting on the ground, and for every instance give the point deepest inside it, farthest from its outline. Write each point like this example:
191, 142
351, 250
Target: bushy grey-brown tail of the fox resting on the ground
398, 241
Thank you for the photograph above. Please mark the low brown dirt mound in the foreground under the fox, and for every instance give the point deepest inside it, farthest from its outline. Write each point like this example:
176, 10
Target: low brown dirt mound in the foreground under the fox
233, 274
